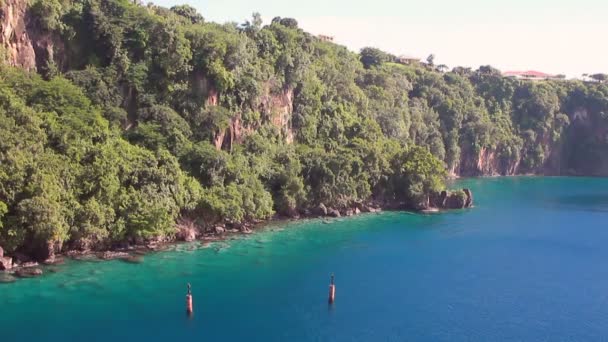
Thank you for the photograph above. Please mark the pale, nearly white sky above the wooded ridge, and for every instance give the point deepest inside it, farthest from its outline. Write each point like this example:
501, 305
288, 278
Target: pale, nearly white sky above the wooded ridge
554, 36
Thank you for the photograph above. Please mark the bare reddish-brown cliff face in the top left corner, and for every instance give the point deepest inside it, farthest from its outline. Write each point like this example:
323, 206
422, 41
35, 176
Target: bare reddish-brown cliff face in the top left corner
23, 44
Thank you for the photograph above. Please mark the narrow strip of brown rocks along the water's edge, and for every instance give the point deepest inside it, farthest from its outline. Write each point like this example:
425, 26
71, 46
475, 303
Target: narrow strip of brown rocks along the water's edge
22, 266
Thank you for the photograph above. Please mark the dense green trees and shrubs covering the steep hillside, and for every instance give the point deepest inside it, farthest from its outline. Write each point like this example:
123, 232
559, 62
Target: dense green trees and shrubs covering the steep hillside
148, 115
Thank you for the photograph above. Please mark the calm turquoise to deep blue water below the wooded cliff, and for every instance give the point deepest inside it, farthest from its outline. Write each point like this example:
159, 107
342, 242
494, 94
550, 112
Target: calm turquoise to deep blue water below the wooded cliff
528, 263
